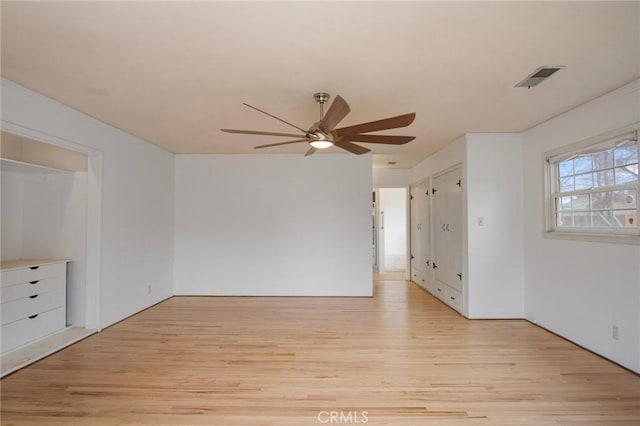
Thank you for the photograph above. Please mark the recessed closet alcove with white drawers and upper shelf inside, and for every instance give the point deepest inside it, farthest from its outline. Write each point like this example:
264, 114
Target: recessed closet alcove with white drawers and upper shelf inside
44, 205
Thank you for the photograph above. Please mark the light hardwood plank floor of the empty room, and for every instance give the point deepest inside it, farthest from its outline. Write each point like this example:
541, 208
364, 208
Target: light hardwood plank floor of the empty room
399, 358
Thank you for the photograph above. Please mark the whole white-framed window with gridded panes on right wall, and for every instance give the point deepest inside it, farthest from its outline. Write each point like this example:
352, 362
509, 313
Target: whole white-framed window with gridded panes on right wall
593, 189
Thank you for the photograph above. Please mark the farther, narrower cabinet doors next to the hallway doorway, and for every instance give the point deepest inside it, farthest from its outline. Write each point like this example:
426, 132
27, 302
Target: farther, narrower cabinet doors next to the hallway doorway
420, 231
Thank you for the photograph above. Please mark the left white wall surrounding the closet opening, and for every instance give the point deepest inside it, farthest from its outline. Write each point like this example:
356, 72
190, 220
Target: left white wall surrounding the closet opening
137, 198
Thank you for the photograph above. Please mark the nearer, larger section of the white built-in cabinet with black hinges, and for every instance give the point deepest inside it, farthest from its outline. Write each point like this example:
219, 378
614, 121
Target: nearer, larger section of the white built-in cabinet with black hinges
447, 237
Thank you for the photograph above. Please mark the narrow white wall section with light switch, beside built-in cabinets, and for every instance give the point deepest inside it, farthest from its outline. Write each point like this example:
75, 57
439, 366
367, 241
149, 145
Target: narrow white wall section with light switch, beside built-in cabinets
496, 250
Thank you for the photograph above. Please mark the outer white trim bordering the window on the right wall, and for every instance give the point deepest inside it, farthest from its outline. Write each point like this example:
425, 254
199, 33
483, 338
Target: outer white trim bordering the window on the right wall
618, 236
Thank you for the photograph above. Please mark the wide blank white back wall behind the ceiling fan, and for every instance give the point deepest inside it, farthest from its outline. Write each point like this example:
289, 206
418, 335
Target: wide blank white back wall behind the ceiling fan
273, 225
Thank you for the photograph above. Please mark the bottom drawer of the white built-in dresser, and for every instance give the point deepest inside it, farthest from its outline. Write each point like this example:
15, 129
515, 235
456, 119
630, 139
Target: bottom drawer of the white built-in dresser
26, 330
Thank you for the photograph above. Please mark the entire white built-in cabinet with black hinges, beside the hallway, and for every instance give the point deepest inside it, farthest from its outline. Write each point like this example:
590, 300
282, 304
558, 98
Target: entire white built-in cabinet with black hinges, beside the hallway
437, 236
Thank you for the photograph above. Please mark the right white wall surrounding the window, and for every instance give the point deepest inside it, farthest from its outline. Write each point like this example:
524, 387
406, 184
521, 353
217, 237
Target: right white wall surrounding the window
574, 288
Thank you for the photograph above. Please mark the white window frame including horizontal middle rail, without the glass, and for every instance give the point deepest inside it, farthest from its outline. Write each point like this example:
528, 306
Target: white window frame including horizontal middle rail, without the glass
552, 158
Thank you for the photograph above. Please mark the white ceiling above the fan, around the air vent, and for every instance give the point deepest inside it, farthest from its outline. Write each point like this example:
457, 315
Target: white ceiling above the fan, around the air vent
175, 73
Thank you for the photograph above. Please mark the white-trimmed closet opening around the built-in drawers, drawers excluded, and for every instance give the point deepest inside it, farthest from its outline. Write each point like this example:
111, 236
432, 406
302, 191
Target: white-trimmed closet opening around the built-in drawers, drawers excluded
51, 192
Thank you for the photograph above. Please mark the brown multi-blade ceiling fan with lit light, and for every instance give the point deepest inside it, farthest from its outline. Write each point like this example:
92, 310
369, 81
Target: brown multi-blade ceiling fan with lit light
323, 134
